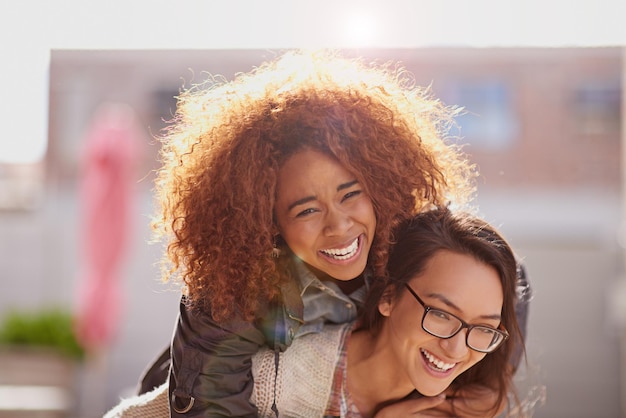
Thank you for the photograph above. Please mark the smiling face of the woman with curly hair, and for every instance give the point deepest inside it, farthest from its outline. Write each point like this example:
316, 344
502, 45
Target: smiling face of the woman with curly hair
324, 215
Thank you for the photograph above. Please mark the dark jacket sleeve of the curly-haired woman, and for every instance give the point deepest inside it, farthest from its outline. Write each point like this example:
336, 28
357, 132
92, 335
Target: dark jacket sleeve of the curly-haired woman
211, 364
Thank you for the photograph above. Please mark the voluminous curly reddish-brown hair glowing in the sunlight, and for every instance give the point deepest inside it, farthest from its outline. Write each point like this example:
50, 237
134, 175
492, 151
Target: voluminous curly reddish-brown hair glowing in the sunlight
223, 151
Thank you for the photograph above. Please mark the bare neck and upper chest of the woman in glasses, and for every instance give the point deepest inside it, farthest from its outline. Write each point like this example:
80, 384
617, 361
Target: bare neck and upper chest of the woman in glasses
373, 378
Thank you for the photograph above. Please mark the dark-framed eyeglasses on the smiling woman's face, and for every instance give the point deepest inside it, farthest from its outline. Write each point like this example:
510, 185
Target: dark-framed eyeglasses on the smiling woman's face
444, 325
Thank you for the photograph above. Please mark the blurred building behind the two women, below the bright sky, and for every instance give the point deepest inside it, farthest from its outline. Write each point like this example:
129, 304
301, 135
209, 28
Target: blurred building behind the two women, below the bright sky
542, 125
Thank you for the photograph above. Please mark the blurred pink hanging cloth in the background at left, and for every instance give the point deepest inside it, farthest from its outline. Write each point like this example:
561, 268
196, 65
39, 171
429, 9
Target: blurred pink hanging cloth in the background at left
106, 192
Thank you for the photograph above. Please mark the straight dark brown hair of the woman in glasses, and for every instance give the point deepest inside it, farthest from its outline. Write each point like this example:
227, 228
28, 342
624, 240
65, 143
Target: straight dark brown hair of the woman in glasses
418, 240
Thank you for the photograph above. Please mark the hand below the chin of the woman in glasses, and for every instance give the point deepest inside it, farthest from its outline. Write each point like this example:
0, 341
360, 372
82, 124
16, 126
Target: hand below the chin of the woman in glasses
474, 401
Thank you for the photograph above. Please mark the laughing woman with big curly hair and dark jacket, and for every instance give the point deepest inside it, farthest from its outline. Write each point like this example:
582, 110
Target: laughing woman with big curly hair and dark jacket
279, 192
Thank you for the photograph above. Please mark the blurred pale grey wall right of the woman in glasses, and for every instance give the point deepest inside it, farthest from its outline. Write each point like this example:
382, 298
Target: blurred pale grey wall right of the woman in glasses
569, 245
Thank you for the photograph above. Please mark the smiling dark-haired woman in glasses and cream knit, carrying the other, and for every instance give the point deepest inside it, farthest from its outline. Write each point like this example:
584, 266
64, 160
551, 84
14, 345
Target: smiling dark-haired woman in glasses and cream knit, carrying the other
444, 320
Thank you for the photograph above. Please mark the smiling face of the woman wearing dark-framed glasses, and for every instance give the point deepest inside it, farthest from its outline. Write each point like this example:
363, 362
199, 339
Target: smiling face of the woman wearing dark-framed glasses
452, 282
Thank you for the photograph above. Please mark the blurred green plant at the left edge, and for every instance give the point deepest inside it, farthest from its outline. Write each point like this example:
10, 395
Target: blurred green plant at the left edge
46, 327
